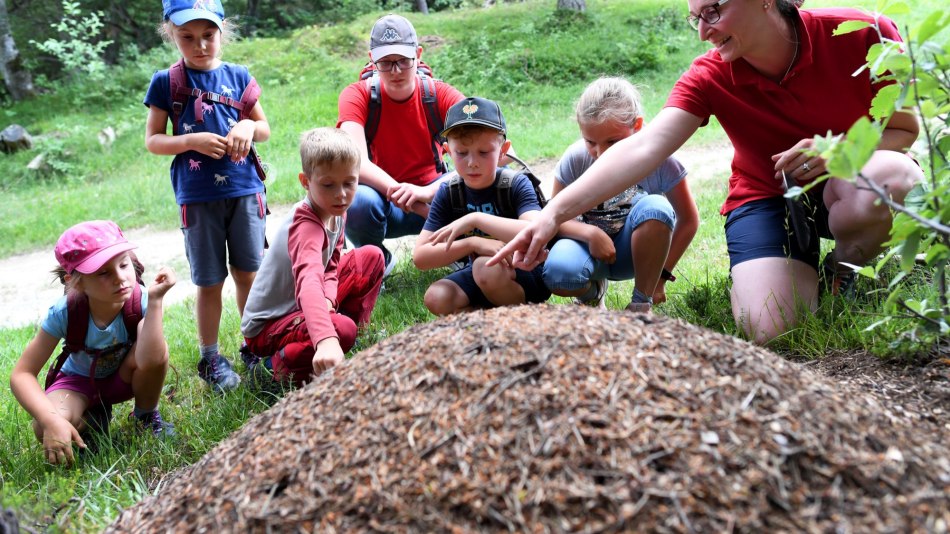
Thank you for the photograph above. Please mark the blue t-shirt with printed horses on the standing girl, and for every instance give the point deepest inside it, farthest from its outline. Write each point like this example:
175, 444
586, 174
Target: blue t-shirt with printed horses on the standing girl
195, 176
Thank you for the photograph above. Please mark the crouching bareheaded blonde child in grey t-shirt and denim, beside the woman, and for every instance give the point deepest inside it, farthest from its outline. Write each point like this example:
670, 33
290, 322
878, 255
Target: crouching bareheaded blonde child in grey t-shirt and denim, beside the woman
640, 233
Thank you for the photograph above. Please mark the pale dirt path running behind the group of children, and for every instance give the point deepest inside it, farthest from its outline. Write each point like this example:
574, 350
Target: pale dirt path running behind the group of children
27, 288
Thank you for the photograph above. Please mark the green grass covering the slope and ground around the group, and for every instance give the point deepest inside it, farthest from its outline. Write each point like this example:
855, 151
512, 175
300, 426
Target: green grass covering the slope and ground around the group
480, 52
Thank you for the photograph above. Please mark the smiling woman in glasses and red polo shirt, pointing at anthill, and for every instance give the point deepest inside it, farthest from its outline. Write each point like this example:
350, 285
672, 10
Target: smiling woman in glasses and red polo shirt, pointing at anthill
775, 78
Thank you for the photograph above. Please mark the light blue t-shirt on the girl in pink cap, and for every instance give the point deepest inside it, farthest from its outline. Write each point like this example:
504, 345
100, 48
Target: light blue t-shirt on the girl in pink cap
97, 338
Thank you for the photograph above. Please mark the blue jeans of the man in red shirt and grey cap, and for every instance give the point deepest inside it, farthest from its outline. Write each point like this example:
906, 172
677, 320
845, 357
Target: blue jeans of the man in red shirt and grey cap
371, 219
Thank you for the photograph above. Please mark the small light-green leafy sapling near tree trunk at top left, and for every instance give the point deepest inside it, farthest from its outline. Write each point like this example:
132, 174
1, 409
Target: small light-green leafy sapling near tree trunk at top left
79, 49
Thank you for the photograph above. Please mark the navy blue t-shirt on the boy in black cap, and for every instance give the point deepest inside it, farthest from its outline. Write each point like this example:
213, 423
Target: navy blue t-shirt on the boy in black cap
481, 200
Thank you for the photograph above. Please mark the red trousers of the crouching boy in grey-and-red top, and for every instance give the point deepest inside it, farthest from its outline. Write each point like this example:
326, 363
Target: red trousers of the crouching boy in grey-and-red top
286, 339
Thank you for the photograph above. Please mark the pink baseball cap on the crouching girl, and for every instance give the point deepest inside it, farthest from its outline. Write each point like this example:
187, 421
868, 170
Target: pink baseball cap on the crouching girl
87, 246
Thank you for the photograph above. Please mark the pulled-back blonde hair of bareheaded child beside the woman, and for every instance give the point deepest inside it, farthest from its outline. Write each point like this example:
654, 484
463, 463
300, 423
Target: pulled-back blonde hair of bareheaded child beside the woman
609, 99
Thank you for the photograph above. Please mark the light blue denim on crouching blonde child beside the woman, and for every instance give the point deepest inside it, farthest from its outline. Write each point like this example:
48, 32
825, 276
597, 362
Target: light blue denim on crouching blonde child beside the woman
570, 266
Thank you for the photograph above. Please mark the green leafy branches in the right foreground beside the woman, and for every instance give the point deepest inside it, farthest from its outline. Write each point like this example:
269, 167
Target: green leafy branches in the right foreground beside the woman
920, 72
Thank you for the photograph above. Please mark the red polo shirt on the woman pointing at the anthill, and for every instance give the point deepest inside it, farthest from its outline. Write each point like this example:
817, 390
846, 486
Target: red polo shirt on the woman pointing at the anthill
762, 117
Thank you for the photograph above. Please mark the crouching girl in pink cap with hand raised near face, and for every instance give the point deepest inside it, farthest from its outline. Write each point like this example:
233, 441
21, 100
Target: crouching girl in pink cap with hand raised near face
122, 356
